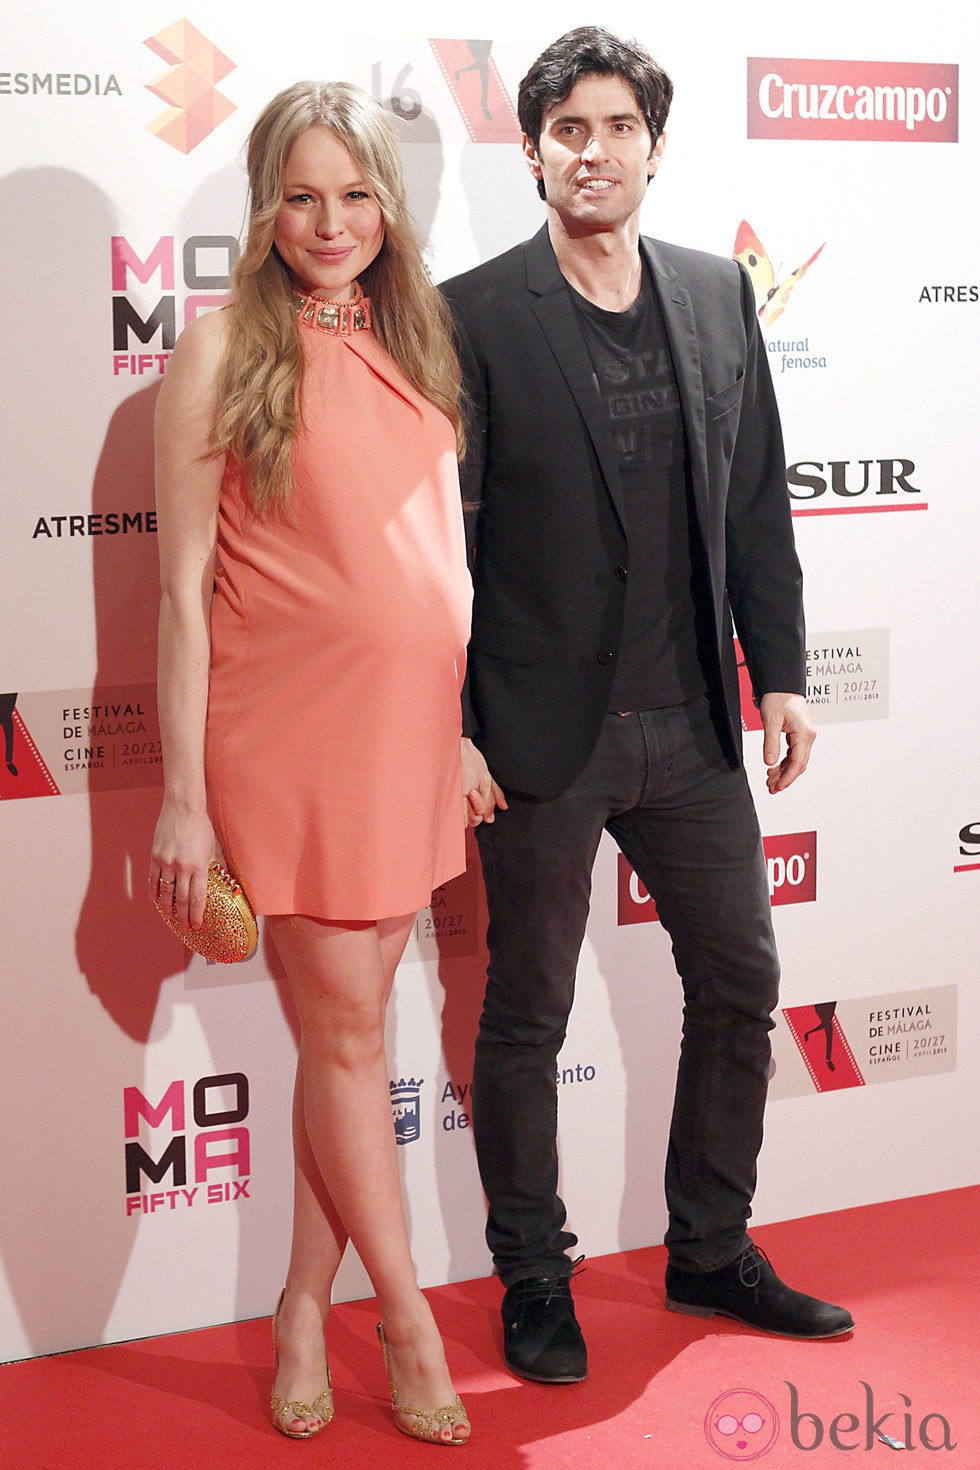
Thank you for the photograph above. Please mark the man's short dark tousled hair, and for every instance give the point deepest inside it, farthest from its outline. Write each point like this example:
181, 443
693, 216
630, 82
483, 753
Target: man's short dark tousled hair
593, 52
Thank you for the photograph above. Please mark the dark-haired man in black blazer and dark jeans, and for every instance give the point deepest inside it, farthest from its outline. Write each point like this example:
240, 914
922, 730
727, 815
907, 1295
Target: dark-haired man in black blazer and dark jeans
628, 477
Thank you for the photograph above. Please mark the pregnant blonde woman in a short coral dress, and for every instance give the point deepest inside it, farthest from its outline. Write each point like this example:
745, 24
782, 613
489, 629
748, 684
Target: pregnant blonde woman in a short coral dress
315, 615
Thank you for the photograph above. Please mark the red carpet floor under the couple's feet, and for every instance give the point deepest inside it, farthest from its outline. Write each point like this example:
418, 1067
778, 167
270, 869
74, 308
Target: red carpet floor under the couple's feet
909, 1271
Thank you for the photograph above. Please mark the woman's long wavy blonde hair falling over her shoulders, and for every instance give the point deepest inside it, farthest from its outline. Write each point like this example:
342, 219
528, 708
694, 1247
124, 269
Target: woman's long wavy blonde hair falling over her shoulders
262, 370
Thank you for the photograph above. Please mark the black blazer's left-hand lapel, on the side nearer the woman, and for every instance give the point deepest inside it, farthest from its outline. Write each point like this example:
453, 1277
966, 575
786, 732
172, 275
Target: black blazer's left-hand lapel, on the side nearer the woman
556, 314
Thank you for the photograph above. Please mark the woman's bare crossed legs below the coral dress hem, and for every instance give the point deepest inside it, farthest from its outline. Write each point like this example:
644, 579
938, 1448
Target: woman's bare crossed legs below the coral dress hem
347, 1171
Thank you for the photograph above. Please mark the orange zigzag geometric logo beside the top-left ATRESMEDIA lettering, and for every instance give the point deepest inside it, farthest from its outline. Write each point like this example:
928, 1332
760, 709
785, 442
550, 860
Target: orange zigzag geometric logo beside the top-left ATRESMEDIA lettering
190, 86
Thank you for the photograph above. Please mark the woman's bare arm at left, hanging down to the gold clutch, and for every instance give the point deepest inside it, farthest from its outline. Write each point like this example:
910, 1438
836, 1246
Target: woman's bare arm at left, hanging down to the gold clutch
187, 486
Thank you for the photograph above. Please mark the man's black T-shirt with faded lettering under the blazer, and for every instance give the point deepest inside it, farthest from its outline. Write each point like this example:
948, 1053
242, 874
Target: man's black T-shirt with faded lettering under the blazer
659, 653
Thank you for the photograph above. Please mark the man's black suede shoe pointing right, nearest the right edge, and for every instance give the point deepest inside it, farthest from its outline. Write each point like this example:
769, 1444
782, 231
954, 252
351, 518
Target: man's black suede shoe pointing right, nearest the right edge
750, 1291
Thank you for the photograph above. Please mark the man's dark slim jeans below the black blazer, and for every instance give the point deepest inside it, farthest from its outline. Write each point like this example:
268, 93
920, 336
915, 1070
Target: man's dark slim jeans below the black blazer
662, 786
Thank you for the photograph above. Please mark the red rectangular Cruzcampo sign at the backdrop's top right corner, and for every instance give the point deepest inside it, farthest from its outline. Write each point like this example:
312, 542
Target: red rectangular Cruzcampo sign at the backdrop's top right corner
876, 102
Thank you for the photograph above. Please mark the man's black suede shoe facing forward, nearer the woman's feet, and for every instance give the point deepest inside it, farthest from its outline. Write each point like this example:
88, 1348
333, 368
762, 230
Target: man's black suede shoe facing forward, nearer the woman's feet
543, 1340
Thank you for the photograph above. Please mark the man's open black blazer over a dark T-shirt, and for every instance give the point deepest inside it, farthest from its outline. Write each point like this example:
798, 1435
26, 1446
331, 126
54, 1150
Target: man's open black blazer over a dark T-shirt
549, 549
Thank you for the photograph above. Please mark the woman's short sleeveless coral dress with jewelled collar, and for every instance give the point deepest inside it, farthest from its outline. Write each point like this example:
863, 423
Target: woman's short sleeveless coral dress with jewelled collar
339, 646
